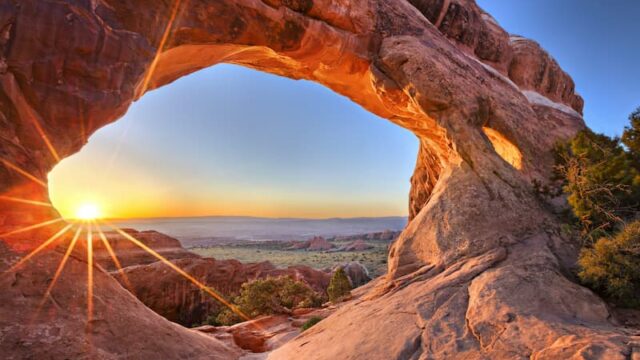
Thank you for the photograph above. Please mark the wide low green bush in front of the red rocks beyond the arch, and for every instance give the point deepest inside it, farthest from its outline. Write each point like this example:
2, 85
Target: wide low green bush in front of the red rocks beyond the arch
272, 295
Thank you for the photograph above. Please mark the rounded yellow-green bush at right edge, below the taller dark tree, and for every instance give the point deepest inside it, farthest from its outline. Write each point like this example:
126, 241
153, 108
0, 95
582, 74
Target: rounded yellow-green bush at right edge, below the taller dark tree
612, 266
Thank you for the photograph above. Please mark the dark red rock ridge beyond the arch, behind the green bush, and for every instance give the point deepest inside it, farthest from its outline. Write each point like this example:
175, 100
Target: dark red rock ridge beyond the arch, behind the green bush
175, 298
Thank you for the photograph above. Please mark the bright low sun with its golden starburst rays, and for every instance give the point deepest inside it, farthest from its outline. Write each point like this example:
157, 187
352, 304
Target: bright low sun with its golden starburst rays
87, 218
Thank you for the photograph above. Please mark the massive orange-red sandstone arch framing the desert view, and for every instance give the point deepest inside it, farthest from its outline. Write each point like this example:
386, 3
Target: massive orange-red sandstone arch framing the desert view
477, 273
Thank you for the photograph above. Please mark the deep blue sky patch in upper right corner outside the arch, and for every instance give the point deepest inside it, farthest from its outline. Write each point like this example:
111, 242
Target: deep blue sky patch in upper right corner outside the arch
596, 41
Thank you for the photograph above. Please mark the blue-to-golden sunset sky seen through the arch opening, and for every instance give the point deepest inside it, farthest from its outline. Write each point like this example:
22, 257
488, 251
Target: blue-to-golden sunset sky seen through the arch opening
233, 141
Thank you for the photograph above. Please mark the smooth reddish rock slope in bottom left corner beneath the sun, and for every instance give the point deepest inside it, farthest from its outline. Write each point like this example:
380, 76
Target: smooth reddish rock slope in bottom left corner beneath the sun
60, 329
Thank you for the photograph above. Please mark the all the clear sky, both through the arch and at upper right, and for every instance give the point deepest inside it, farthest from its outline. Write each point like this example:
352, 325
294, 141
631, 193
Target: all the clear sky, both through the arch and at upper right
232, 141
